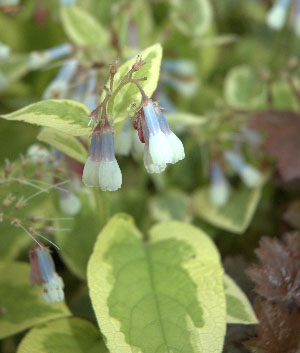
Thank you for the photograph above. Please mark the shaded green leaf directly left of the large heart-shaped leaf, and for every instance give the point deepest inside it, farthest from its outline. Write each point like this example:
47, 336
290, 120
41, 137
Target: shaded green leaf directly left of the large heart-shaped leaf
76, 246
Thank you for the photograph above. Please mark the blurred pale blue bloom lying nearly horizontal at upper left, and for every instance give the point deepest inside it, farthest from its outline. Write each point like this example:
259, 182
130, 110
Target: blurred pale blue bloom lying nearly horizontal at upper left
39, 59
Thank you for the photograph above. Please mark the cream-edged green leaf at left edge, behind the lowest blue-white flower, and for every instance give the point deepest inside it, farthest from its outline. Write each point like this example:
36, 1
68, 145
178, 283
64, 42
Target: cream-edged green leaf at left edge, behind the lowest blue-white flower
22, 304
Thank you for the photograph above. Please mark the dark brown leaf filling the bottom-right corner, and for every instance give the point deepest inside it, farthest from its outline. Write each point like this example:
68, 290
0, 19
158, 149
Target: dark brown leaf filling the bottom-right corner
278, 329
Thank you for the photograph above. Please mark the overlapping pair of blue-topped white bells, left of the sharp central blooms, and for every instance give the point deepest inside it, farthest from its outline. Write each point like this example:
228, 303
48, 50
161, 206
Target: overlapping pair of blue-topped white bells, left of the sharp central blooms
101, 168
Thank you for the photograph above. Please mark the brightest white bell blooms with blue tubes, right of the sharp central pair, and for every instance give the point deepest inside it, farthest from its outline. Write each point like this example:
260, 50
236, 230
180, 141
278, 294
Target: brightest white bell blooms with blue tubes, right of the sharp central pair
162, 146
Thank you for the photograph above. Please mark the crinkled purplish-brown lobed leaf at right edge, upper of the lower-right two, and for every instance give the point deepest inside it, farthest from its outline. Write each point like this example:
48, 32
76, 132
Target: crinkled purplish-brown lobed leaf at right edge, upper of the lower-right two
279, 276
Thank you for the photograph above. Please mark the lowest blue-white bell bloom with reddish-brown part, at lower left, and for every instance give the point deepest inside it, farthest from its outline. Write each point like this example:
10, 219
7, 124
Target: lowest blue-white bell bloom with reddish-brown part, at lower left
43, 273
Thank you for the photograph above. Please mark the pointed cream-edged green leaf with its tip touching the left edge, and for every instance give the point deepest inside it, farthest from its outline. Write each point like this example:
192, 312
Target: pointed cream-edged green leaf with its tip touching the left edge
64, 115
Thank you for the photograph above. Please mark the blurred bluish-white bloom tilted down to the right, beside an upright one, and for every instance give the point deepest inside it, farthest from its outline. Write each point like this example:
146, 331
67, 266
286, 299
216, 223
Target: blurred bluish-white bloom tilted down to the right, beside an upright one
249, 174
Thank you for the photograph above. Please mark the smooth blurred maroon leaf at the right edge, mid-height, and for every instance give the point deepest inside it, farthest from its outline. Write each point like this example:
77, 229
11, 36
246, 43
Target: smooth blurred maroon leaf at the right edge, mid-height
282, 141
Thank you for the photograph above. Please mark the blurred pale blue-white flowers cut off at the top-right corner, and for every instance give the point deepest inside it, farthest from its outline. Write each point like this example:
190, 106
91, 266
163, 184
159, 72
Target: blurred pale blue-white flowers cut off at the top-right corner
278, 13
